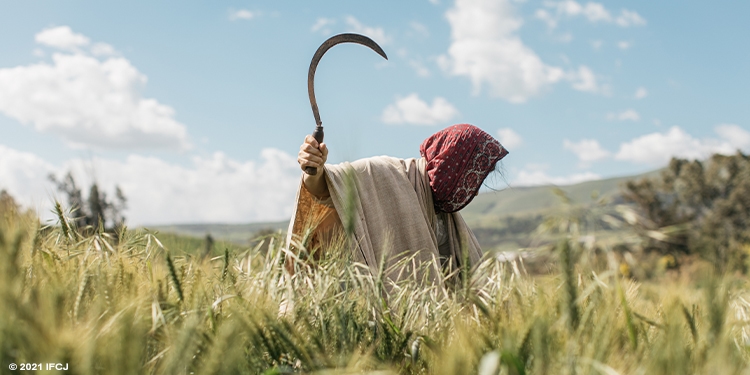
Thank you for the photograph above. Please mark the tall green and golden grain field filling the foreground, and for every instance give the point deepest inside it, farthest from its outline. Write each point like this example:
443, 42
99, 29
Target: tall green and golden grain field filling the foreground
132, 306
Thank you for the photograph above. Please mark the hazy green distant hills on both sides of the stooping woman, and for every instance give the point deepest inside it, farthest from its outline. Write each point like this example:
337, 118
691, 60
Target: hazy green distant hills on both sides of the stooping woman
502, 219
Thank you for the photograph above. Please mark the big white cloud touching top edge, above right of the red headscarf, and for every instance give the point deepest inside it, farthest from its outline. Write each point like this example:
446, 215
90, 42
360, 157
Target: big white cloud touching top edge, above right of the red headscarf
485, 48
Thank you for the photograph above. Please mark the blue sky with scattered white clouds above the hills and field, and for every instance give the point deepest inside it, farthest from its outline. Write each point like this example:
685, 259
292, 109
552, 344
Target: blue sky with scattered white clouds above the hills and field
197, 109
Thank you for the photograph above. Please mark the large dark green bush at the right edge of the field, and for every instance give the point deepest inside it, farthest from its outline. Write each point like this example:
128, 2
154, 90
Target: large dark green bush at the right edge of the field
700, 207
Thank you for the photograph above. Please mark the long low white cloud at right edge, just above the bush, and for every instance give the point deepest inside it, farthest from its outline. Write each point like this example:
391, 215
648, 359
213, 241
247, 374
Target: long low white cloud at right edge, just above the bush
658, 148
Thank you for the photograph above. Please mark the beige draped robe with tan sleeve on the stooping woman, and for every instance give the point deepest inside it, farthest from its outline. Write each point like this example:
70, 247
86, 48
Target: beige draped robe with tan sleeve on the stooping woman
392, 213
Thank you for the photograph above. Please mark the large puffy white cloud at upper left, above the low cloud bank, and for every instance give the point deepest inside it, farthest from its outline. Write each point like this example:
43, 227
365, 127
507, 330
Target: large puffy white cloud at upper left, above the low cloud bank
89, 102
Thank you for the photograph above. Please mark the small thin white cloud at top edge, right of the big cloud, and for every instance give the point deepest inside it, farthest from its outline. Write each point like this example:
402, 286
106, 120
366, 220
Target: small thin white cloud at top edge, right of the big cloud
593, 12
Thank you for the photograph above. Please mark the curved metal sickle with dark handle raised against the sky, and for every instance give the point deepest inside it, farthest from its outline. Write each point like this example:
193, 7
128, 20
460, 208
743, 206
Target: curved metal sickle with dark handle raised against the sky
332, 41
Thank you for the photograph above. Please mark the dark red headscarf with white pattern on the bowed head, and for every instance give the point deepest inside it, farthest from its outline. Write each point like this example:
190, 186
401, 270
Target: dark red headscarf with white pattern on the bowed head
459, 158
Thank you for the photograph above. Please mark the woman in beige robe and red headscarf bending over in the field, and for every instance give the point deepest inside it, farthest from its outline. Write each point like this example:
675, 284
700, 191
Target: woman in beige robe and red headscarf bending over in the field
398, 207
